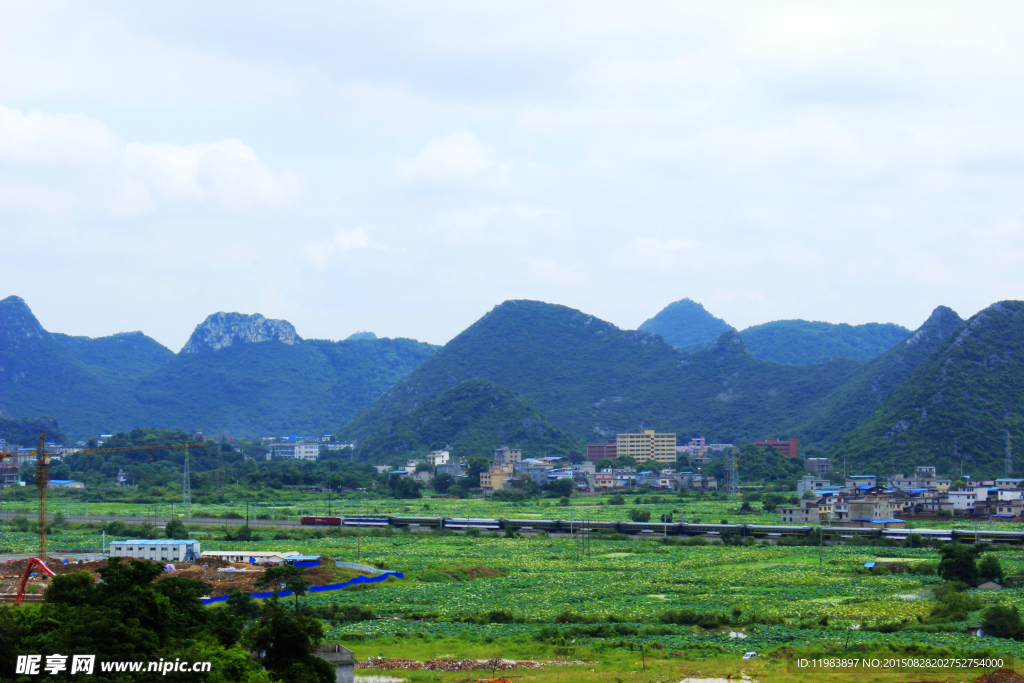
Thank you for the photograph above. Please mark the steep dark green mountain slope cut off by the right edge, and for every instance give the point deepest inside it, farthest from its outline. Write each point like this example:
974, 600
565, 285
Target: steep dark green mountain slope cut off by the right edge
968, 390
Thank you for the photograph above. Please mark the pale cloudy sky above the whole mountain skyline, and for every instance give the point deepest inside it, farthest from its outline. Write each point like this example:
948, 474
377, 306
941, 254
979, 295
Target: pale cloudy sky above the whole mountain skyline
404, 167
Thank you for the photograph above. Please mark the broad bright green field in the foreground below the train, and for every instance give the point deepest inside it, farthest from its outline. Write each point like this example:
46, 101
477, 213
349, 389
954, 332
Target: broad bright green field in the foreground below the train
769, 597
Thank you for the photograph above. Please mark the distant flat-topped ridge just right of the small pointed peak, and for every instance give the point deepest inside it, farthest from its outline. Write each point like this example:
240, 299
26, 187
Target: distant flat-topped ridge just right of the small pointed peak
804, 344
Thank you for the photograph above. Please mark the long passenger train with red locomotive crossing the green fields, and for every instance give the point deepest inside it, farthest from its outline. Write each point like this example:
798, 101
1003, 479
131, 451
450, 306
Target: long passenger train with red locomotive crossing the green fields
764, 532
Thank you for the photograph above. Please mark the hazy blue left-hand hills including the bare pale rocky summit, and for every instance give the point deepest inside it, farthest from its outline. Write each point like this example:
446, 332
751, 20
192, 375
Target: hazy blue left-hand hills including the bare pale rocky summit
238, 375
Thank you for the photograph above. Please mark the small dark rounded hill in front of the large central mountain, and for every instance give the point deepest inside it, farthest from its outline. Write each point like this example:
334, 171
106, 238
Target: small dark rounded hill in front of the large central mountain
474, 418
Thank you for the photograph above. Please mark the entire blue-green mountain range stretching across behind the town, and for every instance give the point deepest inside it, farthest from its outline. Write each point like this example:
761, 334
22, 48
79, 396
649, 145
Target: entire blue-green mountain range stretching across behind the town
546, 378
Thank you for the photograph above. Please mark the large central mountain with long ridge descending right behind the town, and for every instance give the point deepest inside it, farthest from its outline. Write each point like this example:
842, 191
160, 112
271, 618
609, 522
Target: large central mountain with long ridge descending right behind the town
592, 379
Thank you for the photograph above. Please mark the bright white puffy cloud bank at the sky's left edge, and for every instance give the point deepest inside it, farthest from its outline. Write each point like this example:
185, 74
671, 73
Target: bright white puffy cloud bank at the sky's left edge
78, 164
